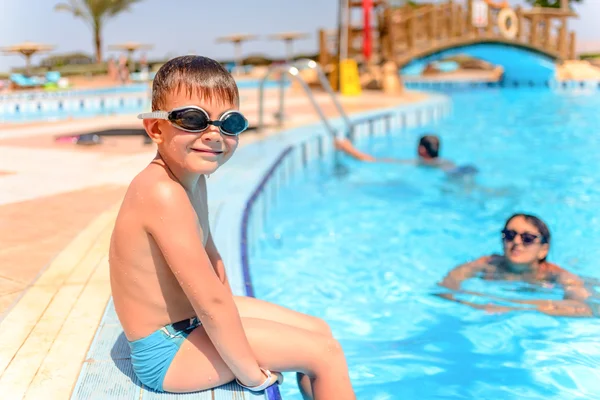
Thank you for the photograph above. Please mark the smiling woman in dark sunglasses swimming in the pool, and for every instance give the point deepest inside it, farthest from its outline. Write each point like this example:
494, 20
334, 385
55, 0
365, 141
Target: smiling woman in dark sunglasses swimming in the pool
526, 242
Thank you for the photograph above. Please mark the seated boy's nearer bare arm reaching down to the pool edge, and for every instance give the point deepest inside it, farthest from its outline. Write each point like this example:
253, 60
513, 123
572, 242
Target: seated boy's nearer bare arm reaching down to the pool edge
173, 224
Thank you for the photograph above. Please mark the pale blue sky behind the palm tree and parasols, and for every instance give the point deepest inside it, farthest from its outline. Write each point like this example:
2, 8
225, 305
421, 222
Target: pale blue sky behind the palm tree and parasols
183, 26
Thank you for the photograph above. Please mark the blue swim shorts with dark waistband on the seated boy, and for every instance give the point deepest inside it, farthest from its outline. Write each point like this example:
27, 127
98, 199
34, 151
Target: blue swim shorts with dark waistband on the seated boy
151, 356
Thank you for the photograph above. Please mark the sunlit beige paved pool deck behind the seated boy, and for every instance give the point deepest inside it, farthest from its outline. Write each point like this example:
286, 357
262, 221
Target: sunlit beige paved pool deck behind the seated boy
58, 202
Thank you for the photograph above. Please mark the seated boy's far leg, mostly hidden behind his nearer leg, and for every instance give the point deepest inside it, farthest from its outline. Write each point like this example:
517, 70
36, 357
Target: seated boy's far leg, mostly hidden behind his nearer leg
250, 307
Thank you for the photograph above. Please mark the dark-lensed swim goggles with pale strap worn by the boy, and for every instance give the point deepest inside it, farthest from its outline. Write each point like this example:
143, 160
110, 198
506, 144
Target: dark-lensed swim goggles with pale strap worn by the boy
195, 119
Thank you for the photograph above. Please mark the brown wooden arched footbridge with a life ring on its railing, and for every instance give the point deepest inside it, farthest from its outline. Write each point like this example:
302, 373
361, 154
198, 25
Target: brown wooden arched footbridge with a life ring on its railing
407, 33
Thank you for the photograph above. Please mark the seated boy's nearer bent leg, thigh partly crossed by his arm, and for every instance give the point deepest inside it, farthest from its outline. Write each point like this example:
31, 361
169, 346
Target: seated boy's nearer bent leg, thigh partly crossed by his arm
278, 347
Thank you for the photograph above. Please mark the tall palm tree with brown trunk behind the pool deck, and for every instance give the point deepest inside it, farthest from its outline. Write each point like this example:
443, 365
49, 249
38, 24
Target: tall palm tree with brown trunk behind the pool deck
95, 13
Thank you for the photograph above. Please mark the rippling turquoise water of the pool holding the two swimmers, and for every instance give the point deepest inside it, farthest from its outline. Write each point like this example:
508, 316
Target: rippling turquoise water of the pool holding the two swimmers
365, 250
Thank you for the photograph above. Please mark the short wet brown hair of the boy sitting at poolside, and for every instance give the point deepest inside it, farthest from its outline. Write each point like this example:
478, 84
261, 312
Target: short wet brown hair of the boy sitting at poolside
198, 75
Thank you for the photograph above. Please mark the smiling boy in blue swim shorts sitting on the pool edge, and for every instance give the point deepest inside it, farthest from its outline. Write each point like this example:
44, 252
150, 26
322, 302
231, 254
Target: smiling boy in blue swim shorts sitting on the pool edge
186, 330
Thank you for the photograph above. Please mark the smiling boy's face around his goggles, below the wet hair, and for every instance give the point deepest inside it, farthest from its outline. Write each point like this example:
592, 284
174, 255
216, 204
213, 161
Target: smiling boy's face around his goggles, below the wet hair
195, 152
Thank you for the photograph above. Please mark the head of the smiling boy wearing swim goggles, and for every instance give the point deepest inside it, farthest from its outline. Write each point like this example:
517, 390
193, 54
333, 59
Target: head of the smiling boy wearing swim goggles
193, 140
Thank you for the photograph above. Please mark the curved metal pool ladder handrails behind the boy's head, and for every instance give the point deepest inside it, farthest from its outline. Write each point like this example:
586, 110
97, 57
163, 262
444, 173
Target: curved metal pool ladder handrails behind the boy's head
293, 69
